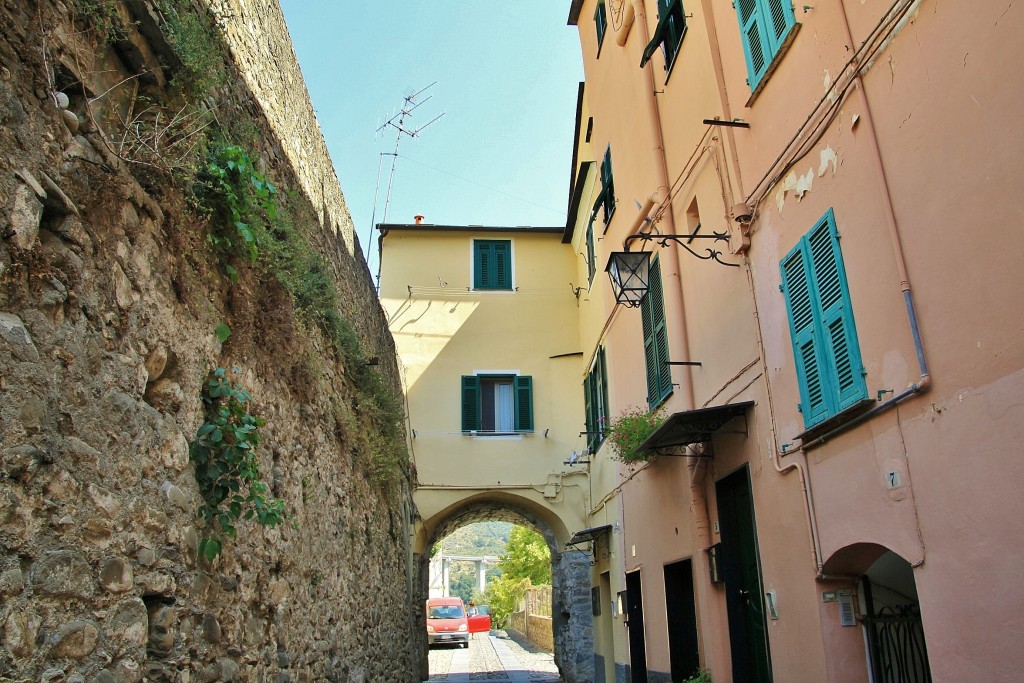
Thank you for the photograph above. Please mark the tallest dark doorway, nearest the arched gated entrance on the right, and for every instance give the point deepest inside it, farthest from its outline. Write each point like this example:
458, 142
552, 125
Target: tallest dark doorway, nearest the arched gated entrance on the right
741, 569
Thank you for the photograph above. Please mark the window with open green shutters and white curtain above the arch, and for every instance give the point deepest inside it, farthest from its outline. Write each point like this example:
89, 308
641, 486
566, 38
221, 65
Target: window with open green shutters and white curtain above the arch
497, 404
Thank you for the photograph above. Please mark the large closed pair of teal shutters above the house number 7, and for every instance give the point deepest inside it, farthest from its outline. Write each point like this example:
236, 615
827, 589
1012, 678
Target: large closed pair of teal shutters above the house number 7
825, 338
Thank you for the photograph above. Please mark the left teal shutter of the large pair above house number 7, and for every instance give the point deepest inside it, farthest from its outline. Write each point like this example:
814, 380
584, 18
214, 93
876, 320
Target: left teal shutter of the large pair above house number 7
800, 309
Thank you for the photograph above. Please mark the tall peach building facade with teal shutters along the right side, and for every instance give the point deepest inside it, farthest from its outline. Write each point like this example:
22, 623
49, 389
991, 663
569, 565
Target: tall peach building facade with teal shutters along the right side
836, 492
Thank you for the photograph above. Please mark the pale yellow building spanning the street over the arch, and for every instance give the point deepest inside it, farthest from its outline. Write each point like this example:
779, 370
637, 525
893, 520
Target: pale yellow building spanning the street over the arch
486, 322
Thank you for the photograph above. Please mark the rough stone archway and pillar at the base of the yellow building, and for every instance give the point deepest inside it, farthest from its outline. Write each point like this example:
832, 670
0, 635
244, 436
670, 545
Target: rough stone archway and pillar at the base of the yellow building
572, 610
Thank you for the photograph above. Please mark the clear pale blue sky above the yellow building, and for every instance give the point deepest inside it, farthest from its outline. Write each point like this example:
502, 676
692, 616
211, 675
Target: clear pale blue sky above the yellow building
506, 77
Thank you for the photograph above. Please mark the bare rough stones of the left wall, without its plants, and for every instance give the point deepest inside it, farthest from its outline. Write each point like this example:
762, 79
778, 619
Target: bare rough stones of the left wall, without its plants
109, 302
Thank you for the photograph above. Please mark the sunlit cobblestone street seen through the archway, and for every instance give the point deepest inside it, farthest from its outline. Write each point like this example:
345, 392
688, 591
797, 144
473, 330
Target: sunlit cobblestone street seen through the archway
494, 657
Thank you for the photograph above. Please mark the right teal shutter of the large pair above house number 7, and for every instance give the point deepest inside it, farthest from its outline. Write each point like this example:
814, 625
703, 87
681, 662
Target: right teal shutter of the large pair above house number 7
840, 333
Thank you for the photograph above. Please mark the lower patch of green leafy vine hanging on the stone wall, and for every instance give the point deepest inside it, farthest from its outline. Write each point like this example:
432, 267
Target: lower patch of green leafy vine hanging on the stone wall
227, 466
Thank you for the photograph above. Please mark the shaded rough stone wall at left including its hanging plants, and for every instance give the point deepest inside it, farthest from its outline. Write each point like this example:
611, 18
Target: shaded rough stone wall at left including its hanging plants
152, 232
